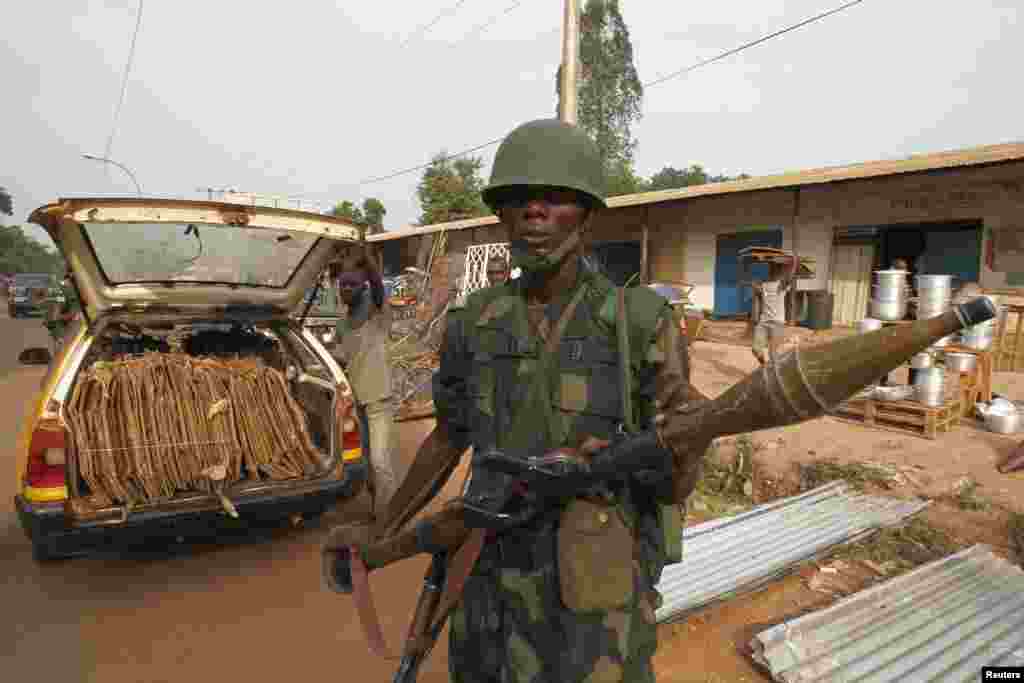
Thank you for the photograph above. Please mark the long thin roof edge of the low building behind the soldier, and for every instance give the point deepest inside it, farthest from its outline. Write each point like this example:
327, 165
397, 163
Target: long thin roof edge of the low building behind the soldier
992, 154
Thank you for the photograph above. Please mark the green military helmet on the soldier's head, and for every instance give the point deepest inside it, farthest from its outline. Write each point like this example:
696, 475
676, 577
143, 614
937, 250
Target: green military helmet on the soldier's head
547, 152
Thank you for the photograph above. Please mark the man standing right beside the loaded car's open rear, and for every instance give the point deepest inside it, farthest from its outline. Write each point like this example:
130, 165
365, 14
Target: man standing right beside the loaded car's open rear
363, 339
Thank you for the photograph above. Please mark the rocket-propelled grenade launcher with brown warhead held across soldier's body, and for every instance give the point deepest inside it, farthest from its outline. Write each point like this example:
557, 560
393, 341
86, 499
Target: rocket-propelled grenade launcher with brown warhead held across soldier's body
797, 387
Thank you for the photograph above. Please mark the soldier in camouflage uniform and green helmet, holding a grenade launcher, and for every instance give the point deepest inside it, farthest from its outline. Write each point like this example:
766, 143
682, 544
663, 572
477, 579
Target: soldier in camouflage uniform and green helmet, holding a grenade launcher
531, 366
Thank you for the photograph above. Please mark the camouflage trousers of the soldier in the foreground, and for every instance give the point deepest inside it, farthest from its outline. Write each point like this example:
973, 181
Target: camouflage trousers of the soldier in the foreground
511, 627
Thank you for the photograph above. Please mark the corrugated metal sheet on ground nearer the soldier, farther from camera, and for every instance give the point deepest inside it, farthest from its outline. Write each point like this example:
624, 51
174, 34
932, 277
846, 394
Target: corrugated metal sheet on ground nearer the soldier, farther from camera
732, 556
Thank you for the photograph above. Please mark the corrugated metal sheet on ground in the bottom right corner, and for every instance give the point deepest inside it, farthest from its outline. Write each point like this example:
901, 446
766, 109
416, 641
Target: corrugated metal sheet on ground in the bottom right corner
943, 622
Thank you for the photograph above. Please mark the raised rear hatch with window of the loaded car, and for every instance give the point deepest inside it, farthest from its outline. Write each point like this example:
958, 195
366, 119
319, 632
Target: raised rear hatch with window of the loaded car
191, 254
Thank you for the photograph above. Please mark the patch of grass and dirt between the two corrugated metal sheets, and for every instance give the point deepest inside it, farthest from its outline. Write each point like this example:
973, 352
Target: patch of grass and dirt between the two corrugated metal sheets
903, 548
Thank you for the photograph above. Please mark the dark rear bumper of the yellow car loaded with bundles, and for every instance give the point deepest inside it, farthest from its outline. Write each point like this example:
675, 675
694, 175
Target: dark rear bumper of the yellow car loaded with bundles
49, 523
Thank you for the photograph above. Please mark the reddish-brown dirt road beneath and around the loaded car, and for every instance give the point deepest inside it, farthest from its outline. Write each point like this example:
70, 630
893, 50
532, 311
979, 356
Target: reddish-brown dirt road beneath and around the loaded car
246, 610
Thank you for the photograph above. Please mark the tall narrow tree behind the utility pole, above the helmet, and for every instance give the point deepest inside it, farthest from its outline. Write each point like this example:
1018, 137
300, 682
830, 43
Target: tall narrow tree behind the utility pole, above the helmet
609, 91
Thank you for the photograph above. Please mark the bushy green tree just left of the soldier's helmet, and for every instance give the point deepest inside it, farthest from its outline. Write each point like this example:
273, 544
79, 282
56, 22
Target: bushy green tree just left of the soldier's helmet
450, 190
